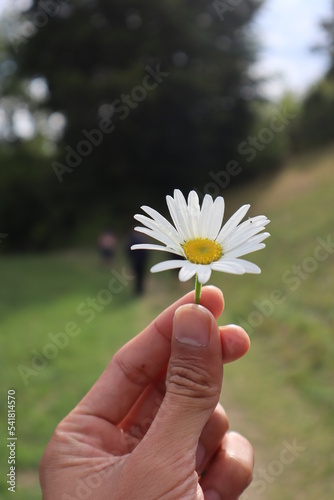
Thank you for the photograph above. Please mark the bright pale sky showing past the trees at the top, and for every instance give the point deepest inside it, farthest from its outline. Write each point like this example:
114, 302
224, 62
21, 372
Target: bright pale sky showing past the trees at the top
286, 30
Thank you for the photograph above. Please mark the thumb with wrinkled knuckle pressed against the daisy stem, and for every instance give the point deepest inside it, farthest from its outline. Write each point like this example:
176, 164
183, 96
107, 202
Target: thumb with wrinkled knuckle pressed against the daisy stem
193, 381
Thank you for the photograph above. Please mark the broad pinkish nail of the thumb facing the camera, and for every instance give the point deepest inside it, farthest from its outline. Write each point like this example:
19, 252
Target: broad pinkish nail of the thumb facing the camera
192, 325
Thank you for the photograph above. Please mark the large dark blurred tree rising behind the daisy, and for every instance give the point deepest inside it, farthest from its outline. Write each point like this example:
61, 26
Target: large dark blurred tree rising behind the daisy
164, 86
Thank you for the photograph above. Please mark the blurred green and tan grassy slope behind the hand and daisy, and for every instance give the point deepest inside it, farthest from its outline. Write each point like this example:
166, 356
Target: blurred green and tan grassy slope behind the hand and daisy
280, 393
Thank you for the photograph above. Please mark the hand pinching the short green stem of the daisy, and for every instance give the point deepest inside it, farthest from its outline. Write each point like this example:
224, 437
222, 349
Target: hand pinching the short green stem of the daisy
151, 427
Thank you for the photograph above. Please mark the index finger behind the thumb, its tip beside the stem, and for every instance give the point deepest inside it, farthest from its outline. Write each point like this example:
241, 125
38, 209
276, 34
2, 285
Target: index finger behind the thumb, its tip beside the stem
139, 362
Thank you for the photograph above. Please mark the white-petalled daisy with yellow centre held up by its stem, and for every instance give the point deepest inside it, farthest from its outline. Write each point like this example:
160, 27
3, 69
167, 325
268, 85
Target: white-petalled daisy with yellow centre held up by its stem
198, 237
